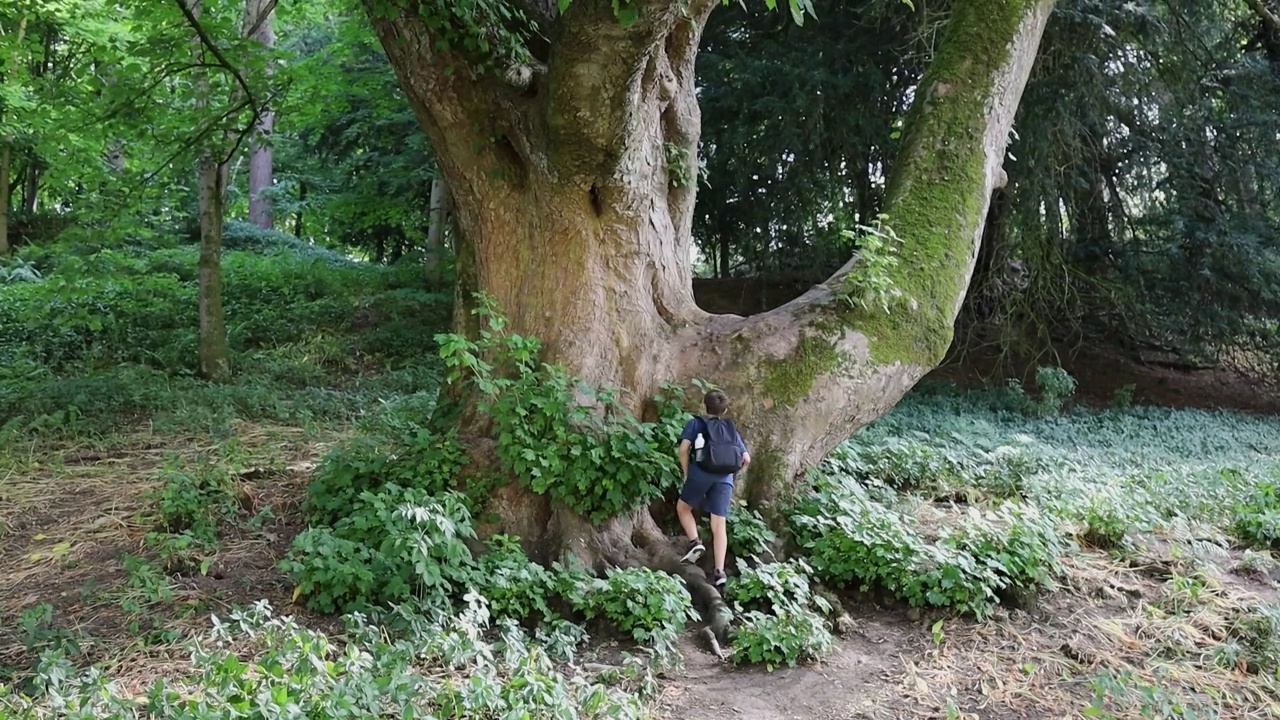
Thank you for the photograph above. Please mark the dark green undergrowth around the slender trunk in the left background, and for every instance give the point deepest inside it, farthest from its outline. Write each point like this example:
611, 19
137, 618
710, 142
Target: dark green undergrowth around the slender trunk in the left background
97, 338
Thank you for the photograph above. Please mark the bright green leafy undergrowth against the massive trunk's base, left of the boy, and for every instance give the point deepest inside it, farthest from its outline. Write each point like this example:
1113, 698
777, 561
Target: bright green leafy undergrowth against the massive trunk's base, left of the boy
388, 523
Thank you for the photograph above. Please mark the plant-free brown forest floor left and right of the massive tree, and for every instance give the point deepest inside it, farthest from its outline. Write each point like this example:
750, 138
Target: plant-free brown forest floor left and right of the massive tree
77, 572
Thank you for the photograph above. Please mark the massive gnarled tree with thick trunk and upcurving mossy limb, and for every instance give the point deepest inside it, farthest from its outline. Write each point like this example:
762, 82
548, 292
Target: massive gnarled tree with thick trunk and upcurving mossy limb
563, 138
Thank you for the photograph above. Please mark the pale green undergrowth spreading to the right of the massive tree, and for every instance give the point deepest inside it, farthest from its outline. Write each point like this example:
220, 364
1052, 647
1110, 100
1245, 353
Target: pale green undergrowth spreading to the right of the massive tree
966, 500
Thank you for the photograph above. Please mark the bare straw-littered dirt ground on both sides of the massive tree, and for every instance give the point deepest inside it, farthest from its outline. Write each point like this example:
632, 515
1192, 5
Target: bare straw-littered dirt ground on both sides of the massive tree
67, 522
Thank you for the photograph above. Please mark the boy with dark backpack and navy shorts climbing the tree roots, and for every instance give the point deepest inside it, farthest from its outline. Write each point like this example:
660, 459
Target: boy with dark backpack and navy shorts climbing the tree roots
717, 452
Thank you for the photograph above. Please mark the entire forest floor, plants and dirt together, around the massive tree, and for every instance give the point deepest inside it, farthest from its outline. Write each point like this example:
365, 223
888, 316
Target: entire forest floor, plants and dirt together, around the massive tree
976, 554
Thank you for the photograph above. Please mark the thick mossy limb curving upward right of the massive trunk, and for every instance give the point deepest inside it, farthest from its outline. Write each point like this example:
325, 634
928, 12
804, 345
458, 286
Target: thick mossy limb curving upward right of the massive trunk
820, 368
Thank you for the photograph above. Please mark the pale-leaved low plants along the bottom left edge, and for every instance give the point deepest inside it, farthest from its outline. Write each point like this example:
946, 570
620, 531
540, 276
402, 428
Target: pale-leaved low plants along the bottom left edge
436, 668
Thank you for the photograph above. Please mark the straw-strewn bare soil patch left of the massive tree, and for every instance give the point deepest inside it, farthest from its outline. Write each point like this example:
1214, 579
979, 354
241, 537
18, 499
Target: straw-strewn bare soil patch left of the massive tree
71, 518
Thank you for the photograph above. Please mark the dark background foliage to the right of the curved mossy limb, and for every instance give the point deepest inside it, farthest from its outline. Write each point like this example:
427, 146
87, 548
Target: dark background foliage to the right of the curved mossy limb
1144, 188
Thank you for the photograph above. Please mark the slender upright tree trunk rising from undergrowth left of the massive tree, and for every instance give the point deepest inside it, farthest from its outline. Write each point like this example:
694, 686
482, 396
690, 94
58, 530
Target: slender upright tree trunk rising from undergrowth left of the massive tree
214, 363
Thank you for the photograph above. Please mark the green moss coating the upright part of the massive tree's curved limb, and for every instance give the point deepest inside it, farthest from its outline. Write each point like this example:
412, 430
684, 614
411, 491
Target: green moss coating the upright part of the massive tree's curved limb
939, 189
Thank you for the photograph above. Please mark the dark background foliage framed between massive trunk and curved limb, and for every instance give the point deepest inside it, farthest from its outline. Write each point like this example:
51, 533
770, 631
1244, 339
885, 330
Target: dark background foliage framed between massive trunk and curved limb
790, 166
